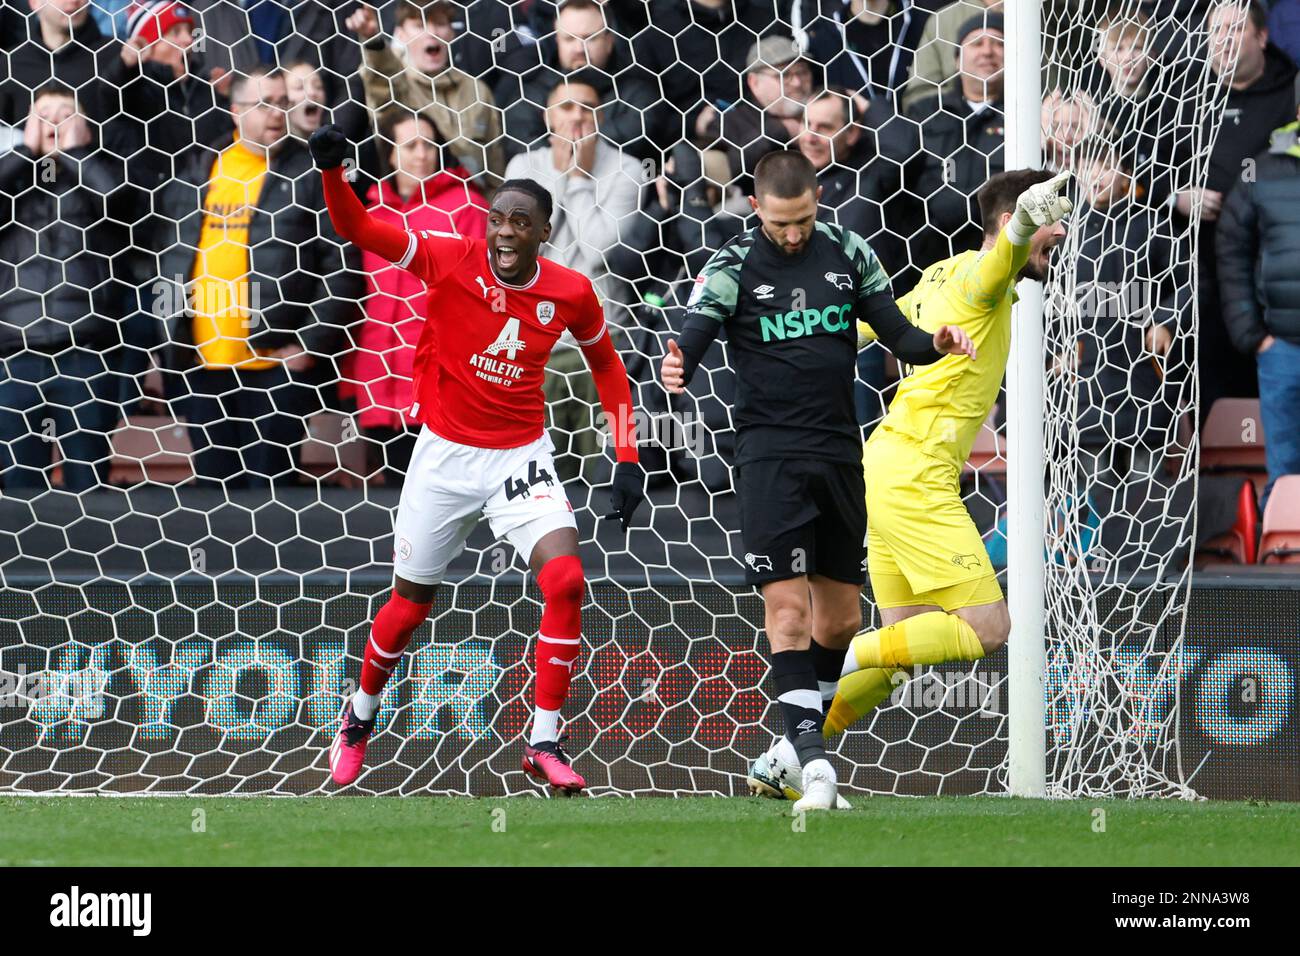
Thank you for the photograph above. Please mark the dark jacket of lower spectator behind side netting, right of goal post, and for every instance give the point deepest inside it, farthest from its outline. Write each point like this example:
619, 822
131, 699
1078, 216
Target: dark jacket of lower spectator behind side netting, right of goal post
1129, 278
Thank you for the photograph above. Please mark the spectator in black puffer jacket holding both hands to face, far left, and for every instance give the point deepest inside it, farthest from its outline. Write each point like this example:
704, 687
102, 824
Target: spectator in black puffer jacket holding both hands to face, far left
60, 305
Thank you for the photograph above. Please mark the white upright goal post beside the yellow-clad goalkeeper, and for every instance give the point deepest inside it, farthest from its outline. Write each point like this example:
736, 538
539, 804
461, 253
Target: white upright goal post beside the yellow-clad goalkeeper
1025, 491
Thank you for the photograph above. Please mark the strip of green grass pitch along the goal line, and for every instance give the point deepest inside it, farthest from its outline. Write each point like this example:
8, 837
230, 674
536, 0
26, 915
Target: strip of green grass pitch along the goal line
947, 832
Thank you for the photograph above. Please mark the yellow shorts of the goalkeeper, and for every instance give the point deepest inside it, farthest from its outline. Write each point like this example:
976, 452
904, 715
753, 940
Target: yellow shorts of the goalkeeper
922, 546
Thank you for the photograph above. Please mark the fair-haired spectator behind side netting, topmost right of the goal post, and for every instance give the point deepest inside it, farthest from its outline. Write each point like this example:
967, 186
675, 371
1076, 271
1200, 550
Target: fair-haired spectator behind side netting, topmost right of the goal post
1136, 100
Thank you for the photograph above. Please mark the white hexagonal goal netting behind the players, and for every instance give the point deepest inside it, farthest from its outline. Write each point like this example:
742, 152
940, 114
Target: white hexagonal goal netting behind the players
192, 556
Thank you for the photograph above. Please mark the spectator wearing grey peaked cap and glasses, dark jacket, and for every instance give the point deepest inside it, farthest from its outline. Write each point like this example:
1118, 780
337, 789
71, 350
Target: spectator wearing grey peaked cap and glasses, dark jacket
770, 115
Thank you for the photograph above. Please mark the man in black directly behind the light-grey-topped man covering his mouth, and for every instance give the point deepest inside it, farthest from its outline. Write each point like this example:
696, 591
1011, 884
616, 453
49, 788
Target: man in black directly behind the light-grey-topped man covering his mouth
583, 42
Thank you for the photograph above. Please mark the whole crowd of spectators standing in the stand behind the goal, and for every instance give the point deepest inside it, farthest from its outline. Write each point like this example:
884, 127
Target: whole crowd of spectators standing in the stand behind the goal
164, 244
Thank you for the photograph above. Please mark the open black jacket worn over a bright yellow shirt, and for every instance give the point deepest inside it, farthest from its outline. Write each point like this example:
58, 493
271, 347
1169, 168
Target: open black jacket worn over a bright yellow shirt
307, 280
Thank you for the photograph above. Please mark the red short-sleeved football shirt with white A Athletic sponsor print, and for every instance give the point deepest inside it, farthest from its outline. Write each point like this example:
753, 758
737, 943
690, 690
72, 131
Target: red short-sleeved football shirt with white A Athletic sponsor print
482, 358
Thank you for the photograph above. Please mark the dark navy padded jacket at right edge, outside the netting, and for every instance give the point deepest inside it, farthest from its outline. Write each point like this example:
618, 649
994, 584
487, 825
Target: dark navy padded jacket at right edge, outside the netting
1259, 249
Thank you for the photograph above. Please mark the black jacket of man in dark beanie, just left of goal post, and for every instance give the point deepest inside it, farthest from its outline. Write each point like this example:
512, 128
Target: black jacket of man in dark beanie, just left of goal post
960, 150
